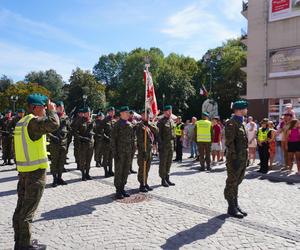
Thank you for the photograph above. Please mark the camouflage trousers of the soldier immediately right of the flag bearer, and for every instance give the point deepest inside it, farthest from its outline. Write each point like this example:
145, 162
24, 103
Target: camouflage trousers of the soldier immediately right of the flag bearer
165, 161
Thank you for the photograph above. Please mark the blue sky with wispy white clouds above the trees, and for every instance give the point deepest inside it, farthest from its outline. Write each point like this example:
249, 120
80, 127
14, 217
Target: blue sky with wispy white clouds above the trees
65, 34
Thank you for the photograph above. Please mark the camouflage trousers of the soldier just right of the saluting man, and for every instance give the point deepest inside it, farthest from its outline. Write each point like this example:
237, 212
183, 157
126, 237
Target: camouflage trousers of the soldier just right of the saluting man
58, 155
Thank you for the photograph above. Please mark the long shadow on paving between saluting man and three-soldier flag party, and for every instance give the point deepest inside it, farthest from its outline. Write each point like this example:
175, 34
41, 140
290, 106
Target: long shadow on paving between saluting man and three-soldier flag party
81, 208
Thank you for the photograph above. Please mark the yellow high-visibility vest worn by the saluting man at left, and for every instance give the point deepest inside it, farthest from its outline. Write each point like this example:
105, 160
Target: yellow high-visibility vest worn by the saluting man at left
30, 155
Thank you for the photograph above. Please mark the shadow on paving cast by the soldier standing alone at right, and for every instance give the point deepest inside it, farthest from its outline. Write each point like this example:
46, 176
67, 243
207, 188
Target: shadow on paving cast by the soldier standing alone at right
195, 233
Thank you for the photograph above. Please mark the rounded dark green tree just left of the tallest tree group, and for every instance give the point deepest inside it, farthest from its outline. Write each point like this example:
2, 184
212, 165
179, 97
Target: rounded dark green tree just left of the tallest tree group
84, 83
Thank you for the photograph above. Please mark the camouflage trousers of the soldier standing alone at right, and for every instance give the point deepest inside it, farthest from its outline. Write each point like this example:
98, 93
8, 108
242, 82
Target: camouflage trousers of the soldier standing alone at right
234, 178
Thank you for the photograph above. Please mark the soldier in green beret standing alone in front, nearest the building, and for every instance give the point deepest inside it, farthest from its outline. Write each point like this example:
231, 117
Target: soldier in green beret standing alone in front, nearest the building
236, 155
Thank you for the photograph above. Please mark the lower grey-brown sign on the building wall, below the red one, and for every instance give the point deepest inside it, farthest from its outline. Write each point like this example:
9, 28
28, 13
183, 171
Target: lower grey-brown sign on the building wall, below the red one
284, 62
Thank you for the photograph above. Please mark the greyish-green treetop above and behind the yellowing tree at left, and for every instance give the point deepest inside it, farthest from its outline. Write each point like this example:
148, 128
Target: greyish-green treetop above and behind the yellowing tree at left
48, 79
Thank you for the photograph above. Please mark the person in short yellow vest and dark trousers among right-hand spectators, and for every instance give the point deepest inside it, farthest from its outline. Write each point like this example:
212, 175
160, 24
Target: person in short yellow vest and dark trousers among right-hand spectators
263, 135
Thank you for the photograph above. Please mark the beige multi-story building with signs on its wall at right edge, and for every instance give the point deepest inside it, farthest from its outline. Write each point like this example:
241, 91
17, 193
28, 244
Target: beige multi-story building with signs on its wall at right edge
273, 60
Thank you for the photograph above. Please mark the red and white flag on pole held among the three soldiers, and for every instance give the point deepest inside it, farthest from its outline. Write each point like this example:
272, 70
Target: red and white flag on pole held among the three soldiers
151, 103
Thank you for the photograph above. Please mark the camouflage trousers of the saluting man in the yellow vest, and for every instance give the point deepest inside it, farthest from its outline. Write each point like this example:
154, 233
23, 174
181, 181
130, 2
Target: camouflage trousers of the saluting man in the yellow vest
30, 189
